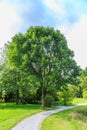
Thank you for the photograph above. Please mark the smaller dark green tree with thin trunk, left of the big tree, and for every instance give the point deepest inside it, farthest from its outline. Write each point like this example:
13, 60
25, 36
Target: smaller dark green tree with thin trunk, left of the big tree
9, 82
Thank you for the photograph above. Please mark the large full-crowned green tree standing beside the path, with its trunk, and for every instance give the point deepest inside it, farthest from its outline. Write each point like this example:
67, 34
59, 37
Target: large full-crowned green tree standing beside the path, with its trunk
43, 52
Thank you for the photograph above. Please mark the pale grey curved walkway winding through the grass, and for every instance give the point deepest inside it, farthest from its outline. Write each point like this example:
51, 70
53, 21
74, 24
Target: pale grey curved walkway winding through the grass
33, 122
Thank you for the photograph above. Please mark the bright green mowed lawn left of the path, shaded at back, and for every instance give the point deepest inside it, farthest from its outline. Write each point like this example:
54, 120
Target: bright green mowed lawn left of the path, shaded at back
11, 114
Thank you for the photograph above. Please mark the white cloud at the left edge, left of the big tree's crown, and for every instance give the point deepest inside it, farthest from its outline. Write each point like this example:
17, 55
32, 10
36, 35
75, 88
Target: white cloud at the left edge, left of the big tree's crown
8, 21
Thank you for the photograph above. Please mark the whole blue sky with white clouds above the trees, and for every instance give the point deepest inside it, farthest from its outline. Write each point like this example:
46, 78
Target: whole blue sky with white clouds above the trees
69, 16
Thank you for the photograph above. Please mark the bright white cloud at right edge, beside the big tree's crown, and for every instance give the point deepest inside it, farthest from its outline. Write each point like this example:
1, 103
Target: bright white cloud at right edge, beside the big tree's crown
77, 40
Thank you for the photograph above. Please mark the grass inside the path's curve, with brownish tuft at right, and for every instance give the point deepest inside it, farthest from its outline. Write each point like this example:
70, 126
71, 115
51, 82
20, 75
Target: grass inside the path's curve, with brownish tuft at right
73, 119
